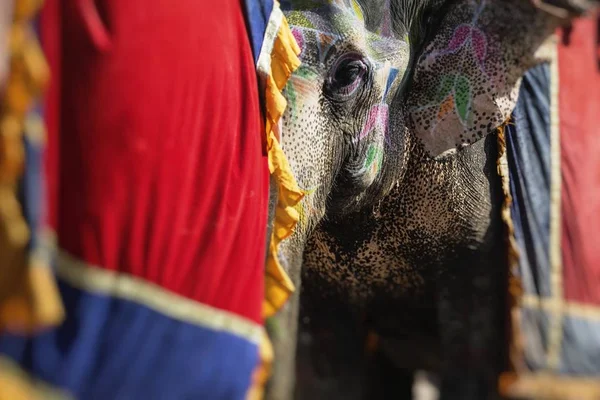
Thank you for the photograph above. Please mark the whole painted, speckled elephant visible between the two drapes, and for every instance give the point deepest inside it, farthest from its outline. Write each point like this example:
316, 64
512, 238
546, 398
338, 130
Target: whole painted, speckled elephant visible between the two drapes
401, 231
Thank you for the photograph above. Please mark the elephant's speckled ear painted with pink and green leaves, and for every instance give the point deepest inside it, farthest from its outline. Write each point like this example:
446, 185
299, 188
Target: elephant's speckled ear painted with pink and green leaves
466, 80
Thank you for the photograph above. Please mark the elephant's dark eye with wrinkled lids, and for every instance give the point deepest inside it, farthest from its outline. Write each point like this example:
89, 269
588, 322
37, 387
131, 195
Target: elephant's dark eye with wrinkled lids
348, 73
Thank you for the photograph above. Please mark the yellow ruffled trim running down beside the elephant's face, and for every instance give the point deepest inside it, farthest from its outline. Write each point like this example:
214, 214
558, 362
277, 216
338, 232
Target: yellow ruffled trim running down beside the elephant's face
284, 61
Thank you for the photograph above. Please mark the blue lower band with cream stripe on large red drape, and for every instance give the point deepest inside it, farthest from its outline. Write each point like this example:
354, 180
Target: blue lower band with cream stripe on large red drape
127, 339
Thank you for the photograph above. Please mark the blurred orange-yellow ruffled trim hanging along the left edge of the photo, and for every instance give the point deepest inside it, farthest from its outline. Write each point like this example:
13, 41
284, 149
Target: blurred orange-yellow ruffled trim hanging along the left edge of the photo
29, 298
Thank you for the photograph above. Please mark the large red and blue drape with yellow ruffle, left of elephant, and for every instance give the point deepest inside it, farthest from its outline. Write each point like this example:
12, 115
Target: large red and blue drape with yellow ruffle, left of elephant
150, 196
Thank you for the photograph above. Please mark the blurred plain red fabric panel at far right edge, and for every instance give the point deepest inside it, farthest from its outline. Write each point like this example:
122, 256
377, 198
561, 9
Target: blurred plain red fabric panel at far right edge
580, 160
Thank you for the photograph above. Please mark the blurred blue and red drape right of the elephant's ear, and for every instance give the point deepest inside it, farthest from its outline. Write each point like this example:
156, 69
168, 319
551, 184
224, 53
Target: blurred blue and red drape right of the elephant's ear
554, 163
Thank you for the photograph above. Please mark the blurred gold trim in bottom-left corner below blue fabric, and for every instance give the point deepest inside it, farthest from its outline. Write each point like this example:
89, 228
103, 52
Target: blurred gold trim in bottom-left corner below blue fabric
16, 384
